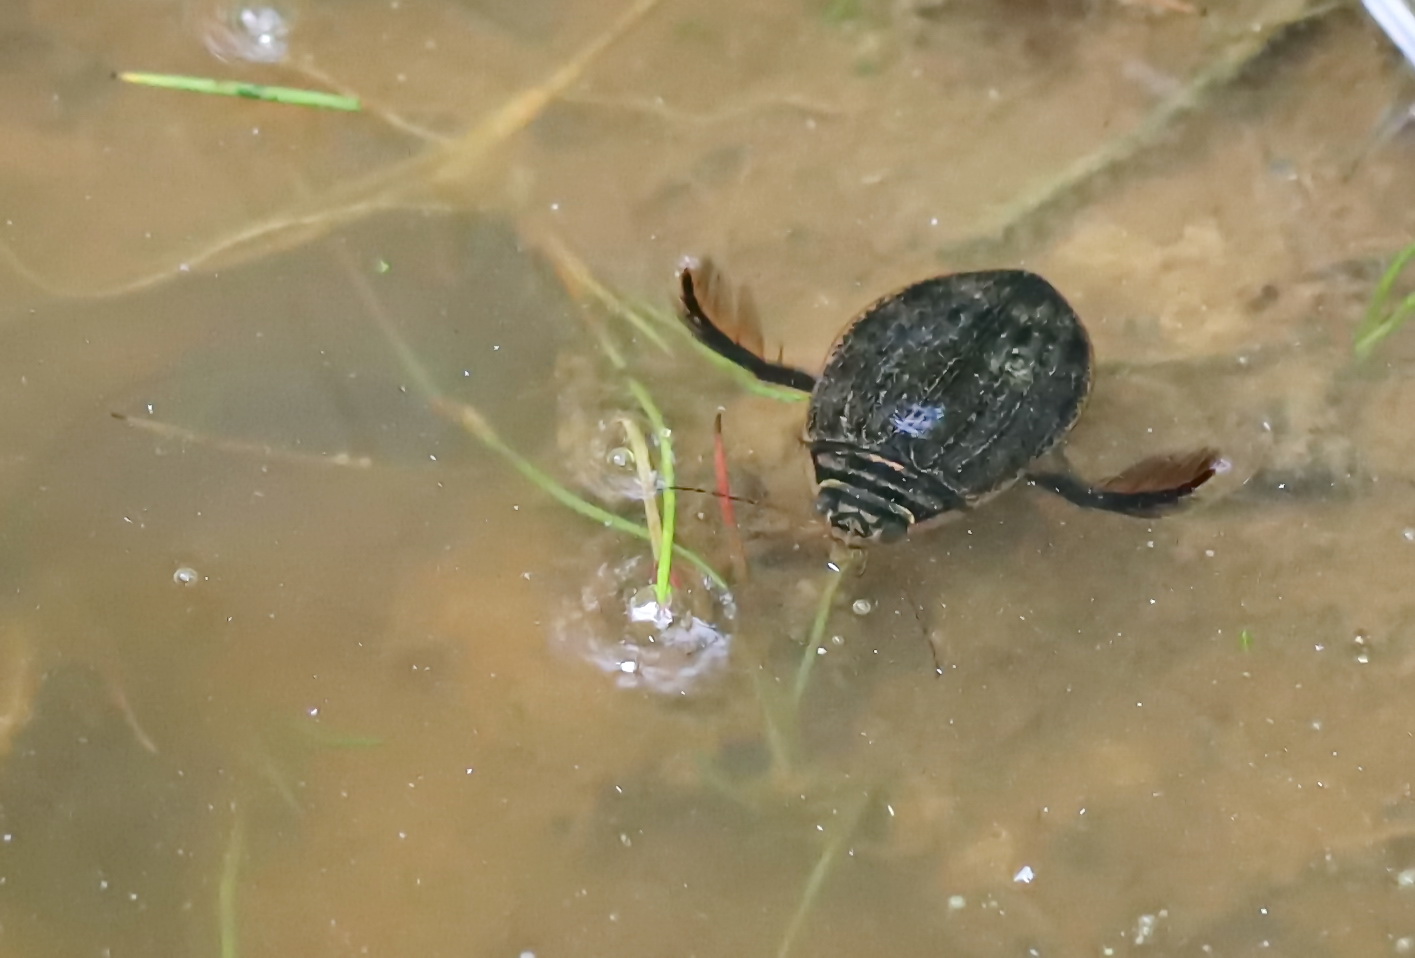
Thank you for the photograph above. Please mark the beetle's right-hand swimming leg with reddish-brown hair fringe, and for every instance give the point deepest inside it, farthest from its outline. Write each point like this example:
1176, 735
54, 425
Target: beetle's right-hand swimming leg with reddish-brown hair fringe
1148, 489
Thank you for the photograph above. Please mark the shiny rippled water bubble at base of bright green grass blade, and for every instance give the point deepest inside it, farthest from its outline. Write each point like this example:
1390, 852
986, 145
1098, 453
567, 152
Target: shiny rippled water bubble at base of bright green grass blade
619, 626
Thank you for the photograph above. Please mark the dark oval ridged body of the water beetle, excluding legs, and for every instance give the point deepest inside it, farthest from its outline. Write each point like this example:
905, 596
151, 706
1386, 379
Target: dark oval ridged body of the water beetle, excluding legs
956, 383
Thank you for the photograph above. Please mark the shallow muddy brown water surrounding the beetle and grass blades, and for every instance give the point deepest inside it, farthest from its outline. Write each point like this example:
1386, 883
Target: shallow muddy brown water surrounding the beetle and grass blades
306, 670
